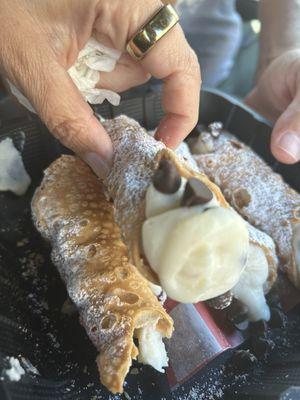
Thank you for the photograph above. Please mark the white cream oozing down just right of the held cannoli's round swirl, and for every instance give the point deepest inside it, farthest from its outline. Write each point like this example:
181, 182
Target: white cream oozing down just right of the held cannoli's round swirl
249, 290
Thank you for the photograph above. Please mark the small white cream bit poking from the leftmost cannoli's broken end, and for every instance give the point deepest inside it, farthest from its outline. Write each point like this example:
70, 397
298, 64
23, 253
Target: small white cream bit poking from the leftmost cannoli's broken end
152, 349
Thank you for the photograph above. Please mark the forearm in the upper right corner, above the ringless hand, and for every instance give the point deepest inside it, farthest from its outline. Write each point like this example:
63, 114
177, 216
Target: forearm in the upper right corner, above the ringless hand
280, 29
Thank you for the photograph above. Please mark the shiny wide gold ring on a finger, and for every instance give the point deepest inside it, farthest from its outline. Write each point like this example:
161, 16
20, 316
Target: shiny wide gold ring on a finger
152, 31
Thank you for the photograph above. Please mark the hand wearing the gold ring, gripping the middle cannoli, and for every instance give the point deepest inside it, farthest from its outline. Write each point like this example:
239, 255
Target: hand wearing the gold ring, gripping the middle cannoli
40, 41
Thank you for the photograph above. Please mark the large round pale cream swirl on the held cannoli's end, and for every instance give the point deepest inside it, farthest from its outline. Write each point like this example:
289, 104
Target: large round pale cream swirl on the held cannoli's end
197, 255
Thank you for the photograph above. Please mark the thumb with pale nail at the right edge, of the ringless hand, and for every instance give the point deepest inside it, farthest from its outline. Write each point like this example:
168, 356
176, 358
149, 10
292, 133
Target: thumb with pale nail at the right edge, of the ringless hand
285, 141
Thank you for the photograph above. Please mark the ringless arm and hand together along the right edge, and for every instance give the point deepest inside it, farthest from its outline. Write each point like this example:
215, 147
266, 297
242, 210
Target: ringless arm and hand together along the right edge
277, 93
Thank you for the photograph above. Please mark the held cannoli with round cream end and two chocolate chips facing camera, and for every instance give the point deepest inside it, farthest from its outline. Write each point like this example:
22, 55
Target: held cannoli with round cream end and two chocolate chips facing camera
173, 218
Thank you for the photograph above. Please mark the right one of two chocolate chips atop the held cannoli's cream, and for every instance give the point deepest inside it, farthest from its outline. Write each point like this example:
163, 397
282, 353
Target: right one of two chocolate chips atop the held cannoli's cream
196, 193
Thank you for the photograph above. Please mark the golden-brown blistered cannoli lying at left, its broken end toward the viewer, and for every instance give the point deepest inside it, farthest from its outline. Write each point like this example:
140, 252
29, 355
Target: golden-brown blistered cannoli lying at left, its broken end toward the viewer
114, 300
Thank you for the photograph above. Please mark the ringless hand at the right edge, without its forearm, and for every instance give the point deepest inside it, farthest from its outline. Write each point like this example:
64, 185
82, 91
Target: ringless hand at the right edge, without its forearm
277, 97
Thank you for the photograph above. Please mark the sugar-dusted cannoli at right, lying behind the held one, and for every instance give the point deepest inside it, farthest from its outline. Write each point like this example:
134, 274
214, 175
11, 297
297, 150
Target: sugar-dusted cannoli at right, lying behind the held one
256, 192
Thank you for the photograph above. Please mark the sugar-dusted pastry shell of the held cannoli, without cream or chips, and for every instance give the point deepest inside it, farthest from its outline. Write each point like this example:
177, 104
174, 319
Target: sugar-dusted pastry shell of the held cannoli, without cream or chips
136, 156
